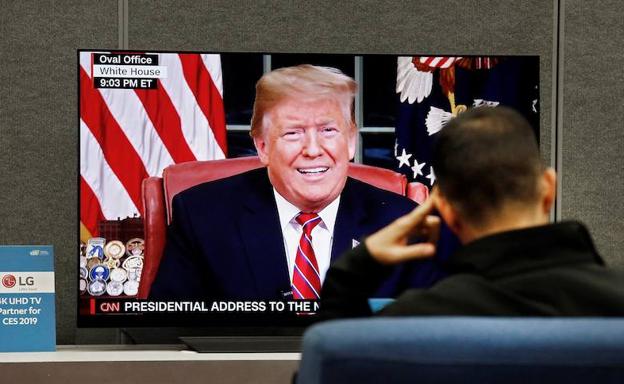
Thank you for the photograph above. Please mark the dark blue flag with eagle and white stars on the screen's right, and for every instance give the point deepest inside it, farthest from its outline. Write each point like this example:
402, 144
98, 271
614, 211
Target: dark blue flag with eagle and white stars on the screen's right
433, 90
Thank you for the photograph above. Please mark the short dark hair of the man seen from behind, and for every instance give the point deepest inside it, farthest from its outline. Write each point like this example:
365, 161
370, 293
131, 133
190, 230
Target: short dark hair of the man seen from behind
484, 158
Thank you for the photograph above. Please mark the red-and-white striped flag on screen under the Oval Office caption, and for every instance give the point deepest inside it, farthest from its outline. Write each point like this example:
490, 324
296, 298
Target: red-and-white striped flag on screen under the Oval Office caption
127, 135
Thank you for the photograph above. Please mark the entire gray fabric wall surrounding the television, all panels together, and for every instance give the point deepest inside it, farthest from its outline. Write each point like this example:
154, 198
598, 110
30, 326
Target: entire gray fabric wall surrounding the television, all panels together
580, 107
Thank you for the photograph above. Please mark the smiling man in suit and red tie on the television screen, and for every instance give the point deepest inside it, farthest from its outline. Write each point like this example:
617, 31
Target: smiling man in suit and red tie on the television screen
272, 232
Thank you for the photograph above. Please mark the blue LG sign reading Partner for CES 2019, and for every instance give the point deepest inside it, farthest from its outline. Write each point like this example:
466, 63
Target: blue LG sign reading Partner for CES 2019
27, 316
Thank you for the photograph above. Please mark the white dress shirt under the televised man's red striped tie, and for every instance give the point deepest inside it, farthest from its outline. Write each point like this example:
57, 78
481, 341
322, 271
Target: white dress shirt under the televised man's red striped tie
322, 234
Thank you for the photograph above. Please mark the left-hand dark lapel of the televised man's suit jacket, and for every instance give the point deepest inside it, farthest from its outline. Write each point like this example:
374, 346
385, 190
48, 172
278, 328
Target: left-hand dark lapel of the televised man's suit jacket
263, 240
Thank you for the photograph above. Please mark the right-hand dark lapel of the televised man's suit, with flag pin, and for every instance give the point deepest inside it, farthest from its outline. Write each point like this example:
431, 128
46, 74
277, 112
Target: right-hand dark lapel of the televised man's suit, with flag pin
351, 215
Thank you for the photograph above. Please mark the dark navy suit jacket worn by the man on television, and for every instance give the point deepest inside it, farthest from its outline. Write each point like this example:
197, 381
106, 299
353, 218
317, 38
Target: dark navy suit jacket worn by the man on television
225, 240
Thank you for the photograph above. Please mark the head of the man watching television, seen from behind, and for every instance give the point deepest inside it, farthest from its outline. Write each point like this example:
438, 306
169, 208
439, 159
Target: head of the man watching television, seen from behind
489, 174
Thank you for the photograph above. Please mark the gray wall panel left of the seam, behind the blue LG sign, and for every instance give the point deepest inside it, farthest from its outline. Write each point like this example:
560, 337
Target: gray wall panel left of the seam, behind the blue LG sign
39, 132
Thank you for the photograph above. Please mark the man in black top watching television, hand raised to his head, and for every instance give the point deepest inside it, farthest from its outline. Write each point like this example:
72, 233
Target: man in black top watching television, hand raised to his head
496, 196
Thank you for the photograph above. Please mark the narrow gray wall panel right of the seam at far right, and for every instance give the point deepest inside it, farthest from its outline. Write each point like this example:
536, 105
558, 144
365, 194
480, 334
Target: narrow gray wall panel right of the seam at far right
592, 137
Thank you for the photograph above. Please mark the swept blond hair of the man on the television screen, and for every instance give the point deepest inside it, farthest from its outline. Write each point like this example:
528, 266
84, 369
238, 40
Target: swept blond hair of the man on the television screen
303, 81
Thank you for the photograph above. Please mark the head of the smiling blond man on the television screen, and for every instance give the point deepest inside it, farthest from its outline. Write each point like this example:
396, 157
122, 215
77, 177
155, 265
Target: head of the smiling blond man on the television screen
304, 131
